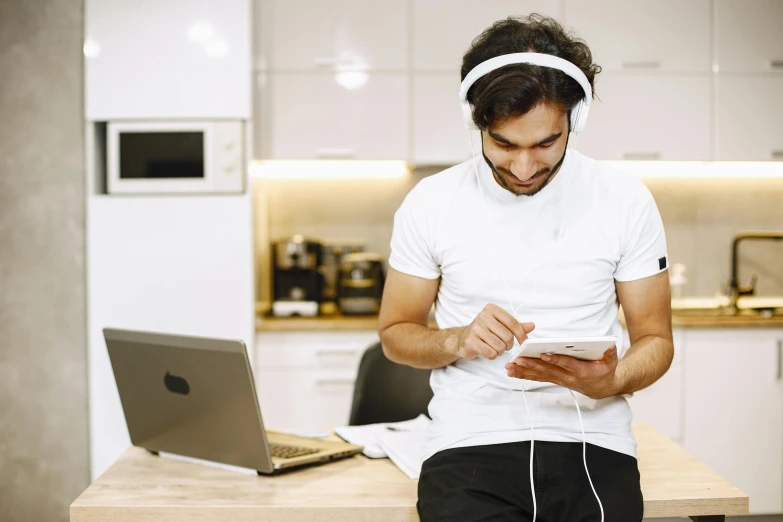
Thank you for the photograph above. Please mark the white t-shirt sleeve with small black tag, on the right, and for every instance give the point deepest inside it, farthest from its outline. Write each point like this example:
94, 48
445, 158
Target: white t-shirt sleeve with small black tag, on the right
643, 252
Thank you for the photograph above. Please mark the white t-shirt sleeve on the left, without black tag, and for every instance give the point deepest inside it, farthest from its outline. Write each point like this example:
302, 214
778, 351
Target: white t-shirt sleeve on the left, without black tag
412, 250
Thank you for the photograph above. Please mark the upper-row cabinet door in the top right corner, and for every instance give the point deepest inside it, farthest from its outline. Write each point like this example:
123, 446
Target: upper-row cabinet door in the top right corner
748, 35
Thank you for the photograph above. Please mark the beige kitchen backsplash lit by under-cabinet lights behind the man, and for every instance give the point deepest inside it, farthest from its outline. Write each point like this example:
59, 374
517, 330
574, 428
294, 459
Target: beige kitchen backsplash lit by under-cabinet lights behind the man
700, 217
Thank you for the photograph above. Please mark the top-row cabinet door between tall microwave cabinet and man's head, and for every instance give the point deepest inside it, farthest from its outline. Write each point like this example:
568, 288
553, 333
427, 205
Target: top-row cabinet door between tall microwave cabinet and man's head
353, 34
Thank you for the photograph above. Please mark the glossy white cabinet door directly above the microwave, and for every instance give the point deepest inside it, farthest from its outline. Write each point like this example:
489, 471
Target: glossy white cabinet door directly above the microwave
167, 59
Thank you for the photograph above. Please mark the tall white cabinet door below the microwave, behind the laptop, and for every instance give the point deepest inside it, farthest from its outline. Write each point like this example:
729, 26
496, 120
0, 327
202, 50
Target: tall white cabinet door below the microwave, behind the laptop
170, 264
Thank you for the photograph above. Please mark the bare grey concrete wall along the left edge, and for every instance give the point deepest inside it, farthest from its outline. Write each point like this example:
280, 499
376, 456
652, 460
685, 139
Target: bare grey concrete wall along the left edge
44, 453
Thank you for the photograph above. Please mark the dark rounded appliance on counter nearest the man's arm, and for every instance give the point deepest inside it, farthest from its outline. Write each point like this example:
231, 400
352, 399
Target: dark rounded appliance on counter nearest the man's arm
361, 284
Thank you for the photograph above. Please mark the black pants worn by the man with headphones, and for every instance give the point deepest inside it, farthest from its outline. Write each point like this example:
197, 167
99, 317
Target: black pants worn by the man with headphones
493, 483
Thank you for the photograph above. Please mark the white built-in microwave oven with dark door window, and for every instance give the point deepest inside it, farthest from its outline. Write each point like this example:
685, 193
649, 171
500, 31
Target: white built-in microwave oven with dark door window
165, 157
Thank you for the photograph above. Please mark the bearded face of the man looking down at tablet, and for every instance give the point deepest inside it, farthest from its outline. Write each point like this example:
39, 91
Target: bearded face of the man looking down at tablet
525, 152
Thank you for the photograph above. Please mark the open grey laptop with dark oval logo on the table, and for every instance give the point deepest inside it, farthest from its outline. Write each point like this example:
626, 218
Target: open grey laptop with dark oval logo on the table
195, 397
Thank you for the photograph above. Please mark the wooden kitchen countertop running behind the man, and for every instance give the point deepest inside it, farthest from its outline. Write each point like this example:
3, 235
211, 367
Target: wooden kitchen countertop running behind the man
680, 319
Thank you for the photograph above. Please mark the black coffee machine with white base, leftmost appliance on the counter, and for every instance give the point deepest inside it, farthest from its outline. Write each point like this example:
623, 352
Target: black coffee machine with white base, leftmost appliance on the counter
298, 282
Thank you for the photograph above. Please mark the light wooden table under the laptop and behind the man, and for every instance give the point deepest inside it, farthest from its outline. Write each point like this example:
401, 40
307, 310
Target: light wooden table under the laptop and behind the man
142, 488
